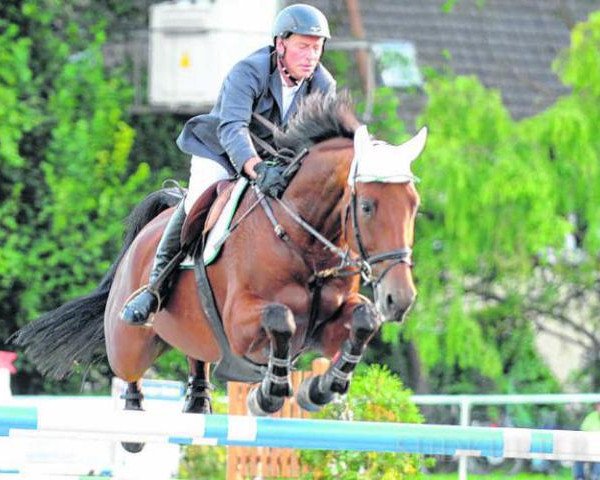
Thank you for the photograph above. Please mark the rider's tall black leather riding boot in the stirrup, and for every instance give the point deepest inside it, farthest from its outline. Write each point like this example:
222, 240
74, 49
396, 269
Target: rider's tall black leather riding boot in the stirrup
148, 301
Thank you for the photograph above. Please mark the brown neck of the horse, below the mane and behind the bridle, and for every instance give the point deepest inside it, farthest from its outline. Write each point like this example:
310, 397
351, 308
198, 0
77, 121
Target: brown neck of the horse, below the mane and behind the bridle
319, 191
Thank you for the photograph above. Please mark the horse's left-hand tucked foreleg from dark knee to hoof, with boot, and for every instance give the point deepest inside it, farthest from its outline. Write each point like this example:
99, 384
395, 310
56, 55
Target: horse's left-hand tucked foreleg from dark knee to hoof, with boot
268, 397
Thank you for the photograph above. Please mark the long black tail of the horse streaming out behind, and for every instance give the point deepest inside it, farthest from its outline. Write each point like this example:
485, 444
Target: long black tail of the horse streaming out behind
74, 332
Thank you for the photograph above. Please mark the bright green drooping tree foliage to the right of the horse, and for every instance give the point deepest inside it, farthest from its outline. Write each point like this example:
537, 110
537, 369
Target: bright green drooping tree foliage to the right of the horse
500, 200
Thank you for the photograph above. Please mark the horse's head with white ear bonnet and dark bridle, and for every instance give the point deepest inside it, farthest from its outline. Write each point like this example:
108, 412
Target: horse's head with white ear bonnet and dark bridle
383, 208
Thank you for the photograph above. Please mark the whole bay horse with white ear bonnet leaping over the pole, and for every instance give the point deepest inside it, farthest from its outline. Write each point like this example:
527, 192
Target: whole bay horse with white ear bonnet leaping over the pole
348, 212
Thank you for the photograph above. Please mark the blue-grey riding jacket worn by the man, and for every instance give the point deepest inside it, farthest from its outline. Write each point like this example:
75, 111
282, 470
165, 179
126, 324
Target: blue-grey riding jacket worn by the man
252, 85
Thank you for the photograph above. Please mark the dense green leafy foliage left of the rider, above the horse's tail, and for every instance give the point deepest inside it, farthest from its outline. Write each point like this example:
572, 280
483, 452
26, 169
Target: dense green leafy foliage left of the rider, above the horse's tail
66, 183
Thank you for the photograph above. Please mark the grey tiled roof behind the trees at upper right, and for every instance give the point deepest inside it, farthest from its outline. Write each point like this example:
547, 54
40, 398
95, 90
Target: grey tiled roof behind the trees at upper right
508, 44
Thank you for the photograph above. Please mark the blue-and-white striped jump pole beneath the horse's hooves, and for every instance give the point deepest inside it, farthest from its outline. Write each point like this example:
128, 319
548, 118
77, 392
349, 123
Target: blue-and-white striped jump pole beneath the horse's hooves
188, 429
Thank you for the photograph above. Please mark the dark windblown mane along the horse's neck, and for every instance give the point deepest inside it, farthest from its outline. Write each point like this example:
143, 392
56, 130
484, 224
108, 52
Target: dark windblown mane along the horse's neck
320, 116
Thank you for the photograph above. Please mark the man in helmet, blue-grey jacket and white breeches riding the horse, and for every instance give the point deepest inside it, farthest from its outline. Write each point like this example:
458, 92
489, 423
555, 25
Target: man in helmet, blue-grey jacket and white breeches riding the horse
270, 81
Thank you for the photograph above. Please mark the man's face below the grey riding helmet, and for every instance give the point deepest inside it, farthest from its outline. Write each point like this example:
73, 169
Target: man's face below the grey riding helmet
302, 54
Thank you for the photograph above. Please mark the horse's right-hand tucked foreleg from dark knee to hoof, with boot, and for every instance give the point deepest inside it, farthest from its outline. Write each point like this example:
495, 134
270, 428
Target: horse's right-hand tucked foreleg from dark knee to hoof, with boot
317, 391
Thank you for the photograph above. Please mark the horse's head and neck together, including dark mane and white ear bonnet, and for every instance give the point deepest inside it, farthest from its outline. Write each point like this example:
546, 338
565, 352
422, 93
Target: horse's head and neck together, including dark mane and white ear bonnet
361, 188
